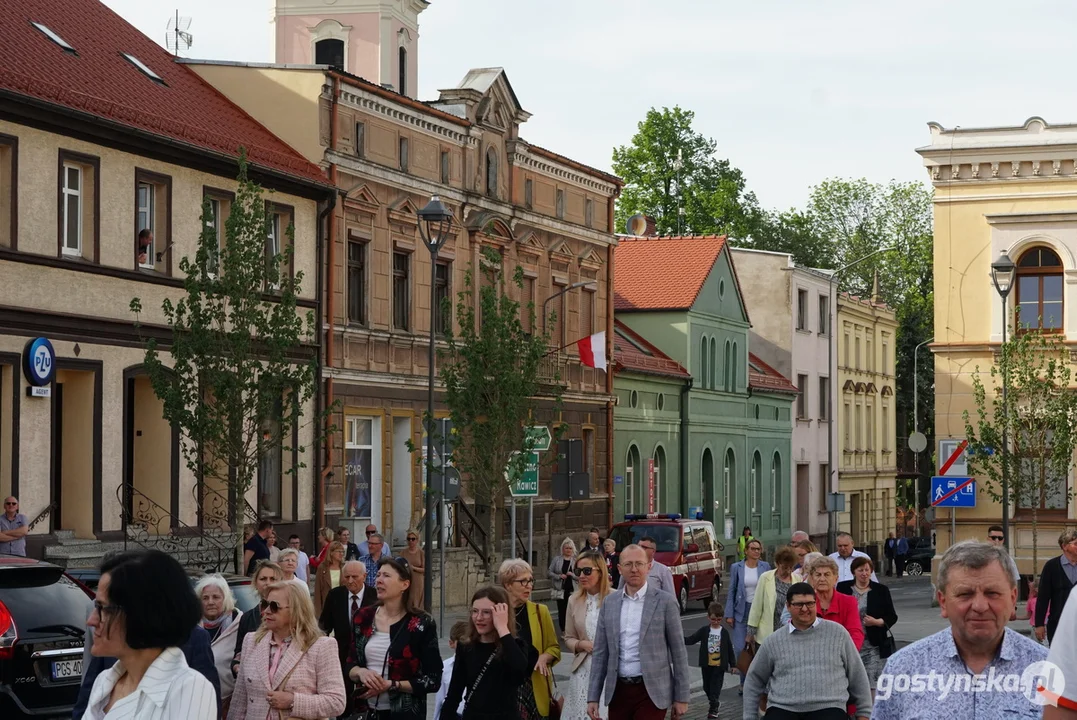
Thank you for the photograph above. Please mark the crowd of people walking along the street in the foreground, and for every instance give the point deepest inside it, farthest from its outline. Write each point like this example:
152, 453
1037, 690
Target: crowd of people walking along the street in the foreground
809, 637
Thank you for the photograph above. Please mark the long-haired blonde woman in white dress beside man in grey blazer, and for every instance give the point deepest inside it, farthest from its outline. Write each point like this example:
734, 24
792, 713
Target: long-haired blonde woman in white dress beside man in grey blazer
584, 609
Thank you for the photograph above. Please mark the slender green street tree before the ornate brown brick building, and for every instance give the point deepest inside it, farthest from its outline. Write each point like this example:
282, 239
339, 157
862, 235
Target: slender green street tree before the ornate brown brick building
494, 371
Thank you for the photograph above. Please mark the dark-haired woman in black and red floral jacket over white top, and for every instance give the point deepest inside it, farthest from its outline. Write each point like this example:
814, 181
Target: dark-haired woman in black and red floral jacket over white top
395, 661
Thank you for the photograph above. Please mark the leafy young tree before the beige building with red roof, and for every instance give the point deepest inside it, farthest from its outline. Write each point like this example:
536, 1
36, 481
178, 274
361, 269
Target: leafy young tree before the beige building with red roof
242, 364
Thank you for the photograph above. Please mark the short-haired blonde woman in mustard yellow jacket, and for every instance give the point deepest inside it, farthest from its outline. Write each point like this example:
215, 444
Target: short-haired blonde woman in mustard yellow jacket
535, 630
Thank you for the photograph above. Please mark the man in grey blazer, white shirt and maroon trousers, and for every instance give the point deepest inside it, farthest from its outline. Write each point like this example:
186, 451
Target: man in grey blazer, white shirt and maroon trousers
639, 669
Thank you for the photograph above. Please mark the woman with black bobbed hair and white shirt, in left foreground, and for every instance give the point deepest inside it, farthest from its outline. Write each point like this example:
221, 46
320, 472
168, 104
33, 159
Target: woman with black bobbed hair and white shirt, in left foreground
144, 613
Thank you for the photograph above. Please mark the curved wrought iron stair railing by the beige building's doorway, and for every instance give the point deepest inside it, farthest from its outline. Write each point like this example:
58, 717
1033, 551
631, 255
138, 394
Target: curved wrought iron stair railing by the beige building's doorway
148, 525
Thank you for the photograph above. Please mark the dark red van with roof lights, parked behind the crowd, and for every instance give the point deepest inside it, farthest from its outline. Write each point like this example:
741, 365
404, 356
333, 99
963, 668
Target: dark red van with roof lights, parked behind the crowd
690, 548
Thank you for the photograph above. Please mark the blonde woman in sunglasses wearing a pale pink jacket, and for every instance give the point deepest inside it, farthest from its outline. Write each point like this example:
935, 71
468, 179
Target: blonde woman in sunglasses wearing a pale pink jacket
289, 669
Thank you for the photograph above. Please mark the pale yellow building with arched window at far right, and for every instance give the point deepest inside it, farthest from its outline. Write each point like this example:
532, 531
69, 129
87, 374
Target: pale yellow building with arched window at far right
1013, 190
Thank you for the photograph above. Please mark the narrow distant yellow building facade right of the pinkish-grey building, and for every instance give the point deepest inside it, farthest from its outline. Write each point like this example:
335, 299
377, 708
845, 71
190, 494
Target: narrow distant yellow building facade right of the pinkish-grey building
868, 460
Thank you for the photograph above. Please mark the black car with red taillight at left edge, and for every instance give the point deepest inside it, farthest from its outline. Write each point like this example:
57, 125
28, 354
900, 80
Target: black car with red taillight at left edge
43, 627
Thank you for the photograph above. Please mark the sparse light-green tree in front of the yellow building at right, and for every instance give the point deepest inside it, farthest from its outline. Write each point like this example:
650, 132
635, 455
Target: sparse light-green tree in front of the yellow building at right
1040, 421
